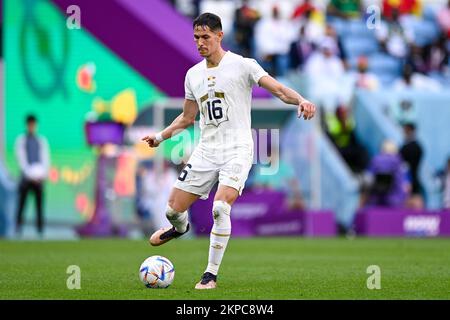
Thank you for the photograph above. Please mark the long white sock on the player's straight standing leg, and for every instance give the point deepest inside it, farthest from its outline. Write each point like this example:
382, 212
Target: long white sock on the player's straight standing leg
220, 234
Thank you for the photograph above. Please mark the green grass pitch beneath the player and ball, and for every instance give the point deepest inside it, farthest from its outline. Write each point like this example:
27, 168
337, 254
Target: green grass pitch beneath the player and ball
263, 268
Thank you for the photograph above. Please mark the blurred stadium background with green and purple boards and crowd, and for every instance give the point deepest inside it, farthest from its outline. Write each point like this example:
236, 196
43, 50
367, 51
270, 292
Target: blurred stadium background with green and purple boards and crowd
124, 68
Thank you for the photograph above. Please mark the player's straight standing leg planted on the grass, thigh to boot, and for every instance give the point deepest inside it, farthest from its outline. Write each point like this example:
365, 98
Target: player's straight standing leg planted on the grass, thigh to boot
220, 234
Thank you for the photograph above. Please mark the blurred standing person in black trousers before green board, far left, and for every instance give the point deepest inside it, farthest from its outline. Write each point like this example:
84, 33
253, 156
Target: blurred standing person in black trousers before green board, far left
33, 157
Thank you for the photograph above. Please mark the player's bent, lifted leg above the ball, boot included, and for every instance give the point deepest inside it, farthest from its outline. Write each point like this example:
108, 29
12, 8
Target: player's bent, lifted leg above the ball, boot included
176, 212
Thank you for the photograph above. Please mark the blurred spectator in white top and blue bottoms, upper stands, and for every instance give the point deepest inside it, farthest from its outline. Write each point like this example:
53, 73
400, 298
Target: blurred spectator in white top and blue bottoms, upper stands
273, 38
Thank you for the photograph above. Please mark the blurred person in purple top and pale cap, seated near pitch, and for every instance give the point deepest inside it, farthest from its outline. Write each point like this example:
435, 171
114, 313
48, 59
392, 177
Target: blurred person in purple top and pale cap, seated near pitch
389, 183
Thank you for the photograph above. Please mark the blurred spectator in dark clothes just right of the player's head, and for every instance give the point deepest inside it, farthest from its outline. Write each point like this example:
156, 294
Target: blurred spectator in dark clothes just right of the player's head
245, 19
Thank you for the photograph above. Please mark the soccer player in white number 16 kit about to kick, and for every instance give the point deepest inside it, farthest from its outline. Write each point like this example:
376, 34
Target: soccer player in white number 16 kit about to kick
220, 87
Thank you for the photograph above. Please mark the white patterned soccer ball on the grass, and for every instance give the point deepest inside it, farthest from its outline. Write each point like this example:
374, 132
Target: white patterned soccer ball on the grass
157, 272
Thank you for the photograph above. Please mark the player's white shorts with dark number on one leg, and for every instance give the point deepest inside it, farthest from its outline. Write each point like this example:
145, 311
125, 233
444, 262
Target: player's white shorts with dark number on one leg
201, 173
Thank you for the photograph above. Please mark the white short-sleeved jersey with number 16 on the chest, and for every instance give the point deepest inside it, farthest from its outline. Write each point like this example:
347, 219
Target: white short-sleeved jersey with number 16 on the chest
223, 94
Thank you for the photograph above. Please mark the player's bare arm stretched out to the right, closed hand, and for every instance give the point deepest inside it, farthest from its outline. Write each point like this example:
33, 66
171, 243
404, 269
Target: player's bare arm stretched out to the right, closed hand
305, 108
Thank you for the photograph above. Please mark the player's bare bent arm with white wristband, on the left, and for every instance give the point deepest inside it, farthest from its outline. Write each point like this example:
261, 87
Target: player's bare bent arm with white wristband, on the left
184, 120
